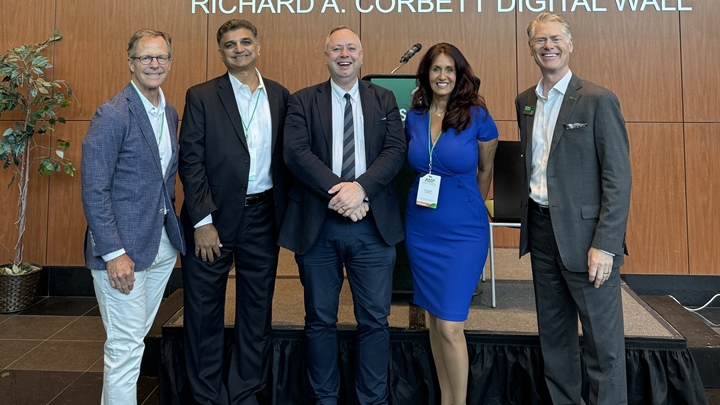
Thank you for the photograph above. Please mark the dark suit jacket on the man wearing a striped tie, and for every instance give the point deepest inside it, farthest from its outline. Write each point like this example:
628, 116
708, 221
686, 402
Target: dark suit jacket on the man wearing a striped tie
308, 154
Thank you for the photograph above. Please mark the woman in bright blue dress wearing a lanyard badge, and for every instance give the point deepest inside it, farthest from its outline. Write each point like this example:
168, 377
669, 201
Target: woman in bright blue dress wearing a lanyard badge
451, 144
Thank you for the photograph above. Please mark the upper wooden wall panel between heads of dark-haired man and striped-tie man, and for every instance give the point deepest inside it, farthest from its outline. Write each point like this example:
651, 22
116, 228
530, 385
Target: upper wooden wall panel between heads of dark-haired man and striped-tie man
291, 45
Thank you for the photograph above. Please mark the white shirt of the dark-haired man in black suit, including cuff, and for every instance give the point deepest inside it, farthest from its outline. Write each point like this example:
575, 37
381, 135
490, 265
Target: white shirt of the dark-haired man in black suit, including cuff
258, 134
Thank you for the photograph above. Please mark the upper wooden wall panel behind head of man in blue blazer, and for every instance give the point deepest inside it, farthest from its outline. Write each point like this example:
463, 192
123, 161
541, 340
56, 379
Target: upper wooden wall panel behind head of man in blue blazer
93, 56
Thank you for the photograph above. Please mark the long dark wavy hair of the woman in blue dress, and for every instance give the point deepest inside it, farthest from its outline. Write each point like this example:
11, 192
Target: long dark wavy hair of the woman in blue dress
463, 97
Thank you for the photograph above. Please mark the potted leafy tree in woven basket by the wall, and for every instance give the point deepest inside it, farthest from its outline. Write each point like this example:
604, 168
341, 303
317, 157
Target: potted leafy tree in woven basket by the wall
27, 87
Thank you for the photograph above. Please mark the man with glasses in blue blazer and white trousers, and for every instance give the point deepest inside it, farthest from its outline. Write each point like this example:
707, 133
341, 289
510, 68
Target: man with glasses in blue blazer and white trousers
129, 162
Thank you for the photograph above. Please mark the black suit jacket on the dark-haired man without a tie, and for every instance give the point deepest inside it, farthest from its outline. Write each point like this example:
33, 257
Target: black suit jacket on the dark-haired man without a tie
215, 160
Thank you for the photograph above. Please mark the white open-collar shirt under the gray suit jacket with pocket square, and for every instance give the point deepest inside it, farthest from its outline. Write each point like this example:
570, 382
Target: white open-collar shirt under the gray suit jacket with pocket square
546, 112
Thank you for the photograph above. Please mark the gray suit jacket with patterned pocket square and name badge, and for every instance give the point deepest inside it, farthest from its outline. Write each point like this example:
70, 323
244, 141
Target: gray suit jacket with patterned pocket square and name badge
588, 173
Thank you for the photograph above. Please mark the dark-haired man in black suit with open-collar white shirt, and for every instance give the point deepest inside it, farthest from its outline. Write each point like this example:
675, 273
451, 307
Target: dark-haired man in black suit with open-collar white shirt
234, 180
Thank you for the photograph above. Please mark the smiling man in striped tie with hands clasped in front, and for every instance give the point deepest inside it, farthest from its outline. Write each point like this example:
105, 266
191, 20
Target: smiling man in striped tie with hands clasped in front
344, 144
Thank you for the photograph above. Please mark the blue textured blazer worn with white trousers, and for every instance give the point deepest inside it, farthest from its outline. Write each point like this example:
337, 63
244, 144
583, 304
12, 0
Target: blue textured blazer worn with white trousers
123, 189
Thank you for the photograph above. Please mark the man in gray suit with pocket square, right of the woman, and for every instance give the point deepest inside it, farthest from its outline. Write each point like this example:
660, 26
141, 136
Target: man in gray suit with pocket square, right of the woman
577, 180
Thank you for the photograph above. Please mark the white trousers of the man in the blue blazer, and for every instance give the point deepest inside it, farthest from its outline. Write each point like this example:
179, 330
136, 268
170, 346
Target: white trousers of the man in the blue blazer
127, 319
